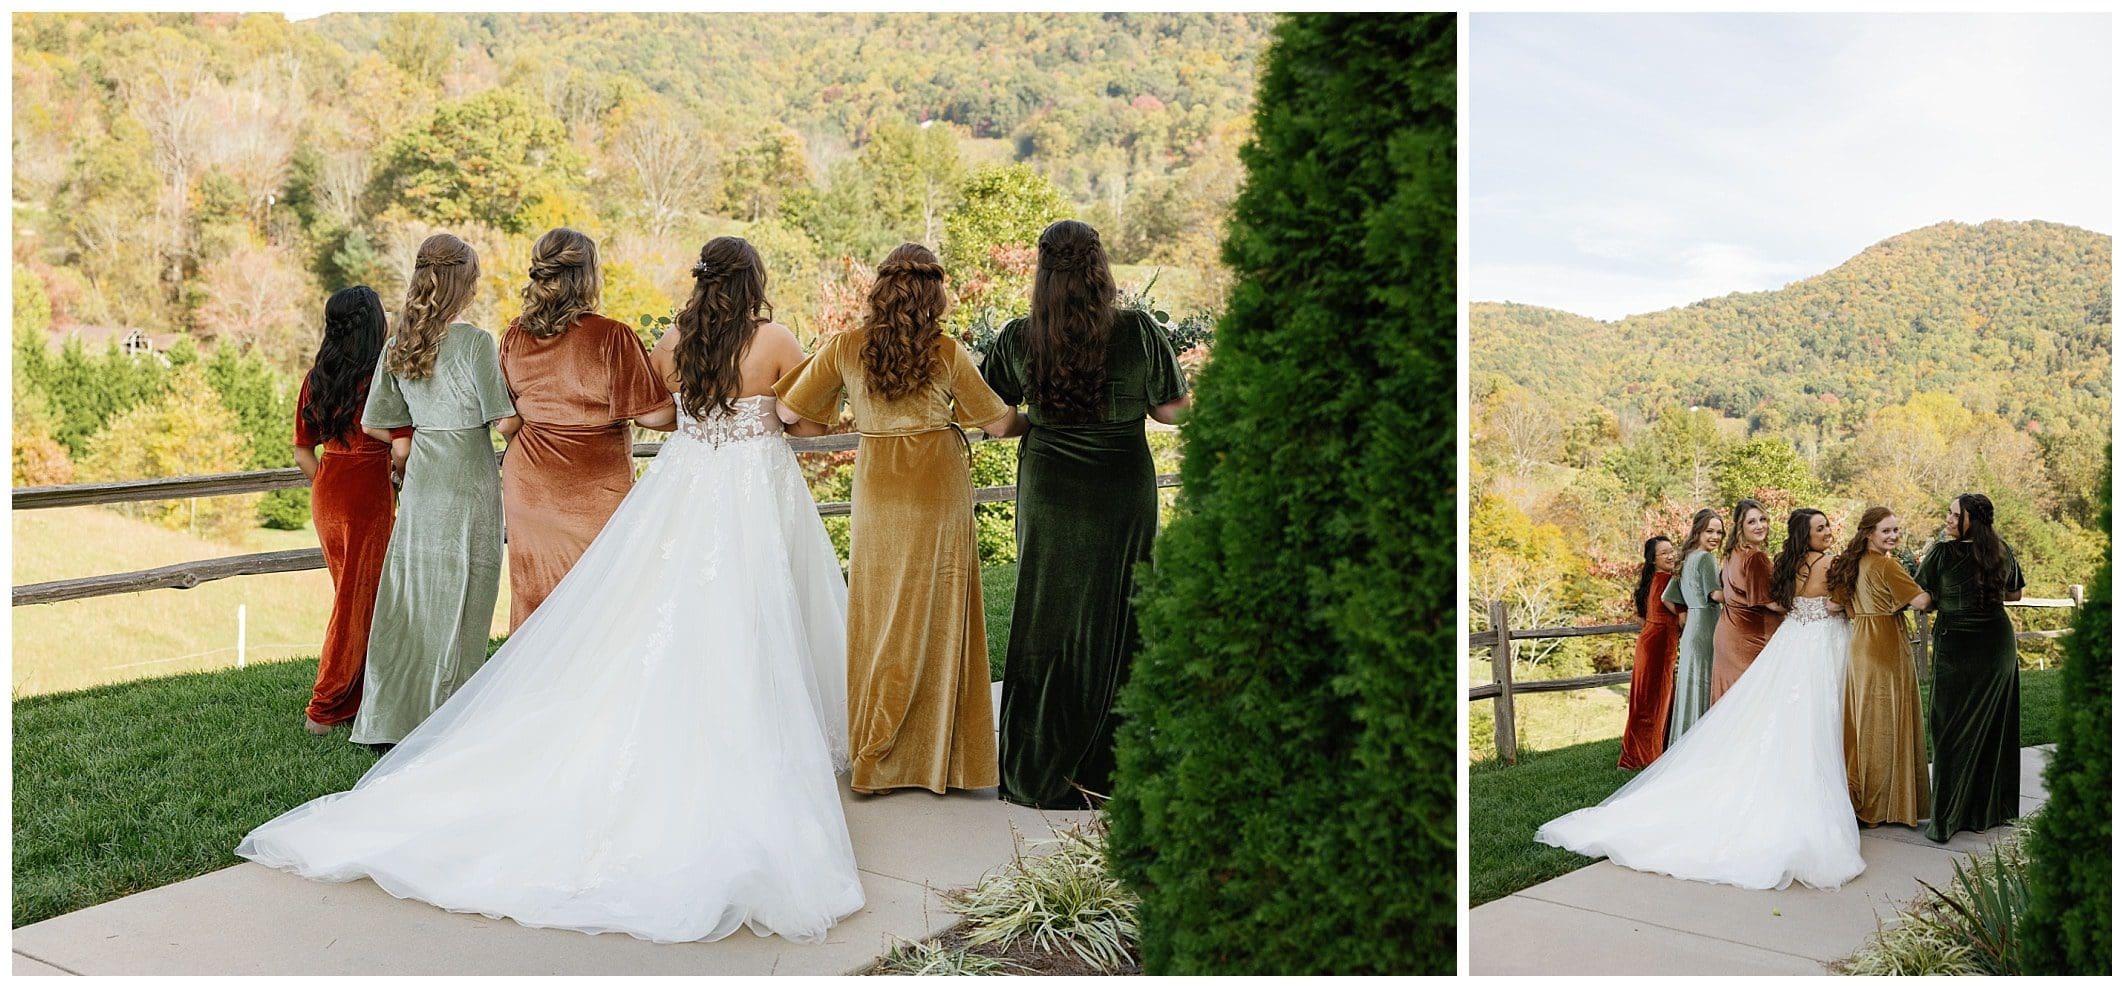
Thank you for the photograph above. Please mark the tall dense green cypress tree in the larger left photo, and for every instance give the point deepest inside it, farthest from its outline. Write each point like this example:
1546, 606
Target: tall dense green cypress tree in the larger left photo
1286, 781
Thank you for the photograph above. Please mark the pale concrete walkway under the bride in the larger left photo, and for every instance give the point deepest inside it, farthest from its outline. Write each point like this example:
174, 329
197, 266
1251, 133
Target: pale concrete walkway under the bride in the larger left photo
256, 921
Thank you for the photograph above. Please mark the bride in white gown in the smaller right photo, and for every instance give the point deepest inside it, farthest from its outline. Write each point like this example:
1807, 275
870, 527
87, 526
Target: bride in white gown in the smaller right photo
1755, 794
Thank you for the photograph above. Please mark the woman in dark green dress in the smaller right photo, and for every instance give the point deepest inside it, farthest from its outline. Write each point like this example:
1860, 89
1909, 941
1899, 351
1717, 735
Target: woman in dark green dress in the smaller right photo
1976, 675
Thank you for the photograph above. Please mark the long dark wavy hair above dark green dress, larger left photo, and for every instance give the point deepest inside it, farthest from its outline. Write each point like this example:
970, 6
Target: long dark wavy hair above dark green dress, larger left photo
1072, 324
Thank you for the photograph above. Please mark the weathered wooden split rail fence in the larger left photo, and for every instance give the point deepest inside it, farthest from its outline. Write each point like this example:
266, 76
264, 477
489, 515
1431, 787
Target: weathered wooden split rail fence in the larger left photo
186, 577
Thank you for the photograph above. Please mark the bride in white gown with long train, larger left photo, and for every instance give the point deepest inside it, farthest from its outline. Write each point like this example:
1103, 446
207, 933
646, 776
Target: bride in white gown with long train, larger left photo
655, 751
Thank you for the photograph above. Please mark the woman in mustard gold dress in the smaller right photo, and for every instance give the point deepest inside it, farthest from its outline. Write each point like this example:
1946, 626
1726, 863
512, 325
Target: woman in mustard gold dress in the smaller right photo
1883, 734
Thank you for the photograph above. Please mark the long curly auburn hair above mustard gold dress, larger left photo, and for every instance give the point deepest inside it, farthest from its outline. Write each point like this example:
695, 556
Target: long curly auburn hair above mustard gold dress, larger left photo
904, 330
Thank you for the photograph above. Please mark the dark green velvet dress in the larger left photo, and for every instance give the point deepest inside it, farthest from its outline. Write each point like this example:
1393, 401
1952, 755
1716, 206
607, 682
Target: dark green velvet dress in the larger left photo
1086, 519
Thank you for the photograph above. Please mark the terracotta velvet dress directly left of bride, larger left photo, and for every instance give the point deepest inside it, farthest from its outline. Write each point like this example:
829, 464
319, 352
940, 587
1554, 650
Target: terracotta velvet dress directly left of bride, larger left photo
572, 464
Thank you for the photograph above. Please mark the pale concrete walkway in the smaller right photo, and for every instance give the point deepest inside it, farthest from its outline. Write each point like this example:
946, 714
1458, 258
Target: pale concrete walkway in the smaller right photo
1611, 921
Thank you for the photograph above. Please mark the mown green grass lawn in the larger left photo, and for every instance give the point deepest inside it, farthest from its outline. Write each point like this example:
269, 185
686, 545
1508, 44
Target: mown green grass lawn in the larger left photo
137, 785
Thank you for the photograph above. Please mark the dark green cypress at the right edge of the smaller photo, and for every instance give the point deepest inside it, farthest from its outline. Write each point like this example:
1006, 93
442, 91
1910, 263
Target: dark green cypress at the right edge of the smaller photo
2068, 927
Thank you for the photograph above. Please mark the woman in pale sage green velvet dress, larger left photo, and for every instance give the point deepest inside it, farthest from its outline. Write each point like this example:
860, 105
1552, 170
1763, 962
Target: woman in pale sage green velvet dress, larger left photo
443, 573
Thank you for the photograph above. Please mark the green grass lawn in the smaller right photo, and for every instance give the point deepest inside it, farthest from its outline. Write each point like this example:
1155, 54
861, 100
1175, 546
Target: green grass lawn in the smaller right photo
1509, 802
